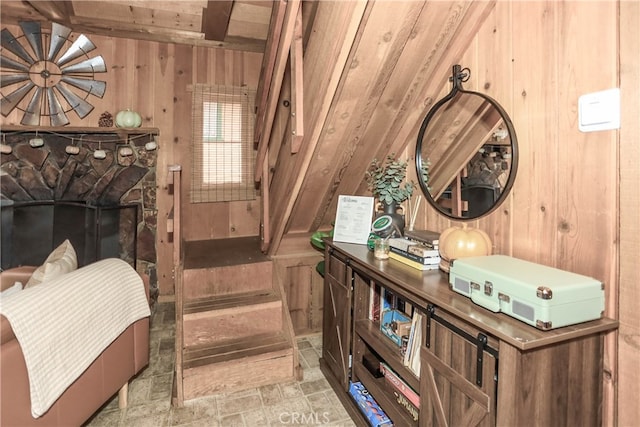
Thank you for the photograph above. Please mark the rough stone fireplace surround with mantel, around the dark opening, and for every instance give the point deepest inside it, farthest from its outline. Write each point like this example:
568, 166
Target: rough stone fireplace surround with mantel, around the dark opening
49, 173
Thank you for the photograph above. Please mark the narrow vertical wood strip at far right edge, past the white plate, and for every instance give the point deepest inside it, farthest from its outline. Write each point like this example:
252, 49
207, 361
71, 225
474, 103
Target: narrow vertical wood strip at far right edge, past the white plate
628, 377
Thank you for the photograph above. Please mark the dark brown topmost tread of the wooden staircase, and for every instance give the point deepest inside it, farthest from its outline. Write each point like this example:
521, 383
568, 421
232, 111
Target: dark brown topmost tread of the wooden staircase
223, 252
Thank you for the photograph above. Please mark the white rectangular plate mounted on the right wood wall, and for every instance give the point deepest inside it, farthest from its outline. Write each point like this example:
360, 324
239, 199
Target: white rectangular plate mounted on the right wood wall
599, 110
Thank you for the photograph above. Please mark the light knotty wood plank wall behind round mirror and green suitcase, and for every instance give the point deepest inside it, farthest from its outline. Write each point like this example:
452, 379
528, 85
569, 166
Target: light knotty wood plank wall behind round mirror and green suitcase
576, 193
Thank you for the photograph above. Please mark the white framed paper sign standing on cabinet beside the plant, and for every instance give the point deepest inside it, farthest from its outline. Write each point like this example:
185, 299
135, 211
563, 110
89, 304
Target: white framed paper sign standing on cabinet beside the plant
353, 219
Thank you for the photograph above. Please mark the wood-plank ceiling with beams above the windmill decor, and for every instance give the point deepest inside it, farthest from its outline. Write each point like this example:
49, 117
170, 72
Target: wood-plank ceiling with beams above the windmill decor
237, 24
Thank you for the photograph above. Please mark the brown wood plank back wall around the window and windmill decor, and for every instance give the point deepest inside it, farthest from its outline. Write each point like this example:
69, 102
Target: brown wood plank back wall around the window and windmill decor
152, 79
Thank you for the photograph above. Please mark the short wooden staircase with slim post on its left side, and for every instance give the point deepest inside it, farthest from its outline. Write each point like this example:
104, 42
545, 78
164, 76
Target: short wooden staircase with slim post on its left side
233, 328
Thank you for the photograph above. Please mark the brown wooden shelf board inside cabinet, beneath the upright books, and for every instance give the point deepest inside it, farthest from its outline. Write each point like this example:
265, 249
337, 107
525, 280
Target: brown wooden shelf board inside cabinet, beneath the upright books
387, 350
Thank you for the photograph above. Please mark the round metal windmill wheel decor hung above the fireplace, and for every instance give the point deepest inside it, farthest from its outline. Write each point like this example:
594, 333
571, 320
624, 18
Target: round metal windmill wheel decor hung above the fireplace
48, 84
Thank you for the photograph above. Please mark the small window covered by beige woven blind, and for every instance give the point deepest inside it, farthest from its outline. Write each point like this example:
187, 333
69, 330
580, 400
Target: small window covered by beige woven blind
223, 157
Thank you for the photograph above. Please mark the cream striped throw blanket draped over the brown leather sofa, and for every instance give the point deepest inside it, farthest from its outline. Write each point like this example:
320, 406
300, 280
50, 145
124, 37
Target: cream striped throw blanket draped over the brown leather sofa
64, 324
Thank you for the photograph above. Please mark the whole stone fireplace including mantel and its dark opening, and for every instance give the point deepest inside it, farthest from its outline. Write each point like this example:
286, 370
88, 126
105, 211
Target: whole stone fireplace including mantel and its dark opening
95, 190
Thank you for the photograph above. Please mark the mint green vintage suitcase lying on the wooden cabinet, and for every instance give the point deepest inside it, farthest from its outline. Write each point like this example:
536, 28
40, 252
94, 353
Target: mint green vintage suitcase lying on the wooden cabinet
544, 297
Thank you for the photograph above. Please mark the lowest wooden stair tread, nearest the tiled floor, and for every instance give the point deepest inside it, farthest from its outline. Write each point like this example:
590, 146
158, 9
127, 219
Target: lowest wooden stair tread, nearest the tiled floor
235, 349
